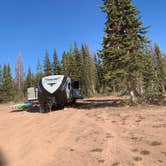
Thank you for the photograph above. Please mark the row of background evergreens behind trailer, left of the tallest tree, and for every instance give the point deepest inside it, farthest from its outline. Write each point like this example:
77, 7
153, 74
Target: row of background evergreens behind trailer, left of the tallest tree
77, 63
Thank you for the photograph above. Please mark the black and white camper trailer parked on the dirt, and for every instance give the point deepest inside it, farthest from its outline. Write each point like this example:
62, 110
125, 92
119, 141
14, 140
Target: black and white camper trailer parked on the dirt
57, 91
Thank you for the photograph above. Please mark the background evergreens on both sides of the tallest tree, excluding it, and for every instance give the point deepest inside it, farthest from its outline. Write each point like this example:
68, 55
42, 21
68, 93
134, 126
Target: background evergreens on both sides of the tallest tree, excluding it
81, 65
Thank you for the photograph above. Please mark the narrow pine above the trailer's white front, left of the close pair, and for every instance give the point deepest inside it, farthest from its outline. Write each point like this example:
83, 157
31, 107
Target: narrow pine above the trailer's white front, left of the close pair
47, 65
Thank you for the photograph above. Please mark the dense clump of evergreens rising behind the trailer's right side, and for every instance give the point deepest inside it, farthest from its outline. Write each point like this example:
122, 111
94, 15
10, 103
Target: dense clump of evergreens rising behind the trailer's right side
79, 65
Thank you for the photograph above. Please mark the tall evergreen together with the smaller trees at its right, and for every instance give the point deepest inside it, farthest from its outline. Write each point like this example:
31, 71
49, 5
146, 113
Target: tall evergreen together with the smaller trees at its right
130, 65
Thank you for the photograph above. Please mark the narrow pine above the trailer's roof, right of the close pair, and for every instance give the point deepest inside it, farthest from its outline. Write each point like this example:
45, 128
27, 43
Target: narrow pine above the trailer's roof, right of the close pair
56, 67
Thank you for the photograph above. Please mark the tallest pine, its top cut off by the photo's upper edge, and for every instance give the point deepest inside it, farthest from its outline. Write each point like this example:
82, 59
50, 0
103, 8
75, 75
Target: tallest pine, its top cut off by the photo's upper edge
123, 43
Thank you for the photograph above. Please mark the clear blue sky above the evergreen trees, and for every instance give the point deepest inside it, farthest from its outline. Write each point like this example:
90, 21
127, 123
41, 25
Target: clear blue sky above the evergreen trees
32, 26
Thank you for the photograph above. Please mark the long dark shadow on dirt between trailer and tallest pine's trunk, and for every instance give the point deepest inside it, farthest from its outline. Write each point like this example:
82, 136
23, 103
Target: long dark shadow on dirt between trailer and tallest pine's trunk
92, 104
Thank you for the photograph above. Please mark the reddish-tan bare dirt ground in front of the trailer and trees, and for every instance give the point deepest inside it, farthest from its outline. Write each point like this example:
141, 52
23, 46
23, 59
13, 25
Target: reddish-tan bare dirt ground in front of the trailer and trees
96, 132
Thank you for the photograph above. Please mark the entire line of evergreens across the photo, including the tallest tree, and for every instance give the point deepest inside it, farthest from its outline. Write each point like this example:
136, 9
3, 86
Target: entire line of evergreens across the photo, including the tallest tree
127, 64
